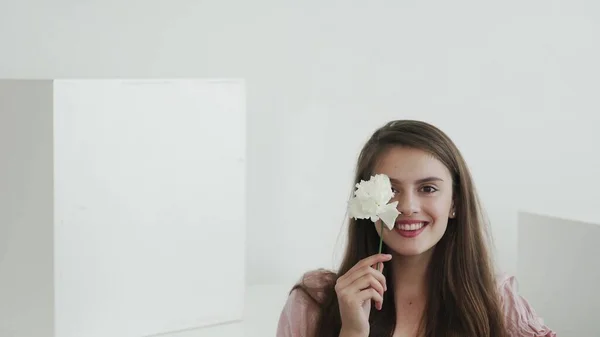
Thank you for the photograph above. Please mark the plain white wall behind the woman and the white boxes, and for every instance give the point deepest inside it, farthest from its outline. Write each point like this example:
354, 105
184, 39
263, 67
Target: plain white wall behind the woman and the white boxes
513, 83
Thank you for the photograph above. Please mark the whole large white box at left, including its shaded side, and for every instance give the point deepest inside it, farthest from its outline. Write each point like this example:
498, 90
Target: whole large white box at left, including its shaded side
123, 206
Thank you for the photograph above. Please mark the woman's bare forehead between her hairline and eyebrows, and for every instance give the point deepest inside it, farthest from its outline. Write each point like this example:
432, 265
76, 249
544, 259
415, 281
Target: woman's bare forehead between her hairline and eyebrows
405, 164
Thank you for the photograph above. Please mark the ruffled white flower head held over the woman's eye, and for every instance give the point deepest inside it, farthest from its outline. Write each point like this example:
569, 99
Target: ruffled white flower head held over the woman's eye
371, 199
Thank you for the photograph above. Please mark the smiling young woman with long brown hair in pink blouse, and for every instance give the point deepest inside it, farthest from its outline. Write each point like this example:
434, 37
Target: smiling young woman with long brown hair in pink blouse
436, 277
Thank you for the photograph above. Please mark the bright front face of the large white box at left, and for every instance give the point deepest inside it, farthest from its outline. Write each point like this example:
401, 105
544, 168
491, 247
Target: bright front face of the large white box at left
149, 205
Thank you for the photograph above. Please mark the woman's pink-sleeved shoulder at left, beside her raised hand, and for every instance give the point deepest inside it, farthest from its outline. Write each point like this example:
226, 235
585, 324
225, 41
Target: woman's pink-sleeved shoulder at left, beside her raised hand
300, 313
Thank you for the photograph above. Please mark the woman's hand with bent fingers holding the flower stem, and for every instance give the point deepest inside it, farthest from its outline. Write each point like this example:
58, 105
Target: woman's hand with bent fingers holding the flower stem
355, 291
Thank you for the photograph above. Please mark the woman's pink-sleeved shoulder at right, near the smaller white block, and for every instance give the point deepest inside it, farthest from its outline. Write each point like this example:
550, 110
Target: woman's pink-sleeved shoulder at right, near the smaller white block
520, 318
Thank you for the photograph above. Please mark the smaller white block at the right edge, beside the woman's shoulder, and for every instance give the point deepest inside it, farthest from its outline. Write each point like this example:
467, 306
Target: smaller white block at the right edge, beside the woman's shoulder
559, 272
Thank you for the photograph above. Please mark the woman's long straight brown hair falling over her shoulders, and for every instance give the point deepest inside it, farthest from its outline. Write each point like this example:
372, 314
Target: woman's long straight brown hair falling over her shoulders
463, 301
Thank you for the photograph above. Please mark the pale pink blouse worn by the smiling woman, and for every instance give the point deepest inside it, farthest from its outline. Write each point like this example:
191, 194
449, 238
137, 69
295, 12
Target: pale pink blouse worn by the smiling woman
299, 314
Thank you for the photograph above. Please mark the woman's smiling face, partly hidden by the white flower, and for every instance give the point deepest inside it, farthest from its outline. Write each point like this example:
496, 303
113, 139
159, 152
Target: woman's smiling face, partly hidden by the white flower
423, 188
